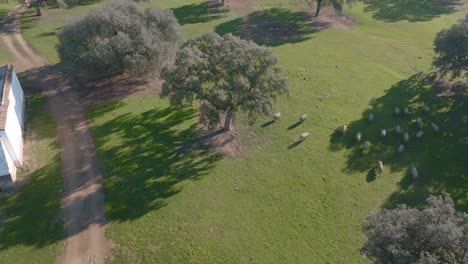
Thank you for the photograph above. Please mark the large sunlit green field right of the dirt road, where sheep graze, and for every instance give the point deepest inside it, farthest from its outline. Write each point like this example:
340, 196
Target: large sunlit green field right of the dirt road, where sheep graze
281, 203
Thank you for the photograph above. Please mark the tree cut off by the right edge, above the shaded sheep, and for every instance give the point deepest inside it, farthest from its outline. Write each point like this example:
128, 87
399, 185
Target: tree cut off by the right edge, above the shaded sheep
451, 47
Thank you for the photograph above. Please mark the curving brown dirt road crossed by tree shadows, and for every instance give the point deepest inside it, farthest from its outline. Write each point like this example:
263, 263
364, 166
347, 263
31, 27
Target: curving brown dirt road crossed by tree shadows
83, 200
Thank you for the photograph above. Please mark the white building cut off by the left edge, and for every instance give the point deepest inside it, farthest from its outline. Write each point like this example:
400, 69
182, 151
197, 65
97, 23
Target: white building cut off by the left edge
11, 126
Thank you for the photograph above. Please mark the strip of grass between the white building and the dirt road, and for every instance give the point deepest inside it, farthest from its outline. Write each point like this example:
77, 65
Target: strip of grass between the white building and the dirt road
31, 228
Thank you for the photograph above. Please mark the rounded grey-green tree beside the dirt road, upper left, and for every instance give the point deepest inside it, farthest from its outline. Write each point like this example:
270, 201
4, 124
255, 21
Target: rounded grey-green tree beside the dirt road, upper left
117, 37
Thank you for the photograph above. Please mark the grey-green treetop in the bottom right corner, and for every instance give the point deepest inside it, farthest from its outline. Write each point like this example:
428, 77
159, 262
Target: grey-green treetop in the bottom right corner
437, 234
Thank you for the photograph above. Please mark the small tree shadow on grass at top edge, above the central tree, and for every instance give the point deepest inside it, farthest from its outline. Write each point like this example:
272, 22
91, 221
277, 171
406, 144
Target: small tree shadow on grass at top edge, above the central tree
198, 13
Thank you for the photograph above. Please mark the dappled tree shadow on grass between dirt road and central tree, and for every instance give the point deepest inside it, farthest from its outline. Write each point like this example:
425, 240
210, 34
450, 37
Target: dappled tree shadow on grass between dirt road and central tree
143, 166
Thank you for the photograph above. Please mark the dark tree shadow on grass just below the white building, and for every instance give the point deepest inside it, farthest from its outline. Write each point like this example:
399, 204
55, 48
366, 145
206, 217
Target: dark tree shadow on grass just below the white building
30, 215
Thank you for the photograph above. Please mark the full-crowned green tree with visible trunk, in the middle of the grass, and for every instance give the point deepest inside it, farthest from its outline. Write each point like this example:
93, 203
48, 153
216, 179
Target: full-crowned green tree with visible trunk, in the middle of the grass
226, 74
